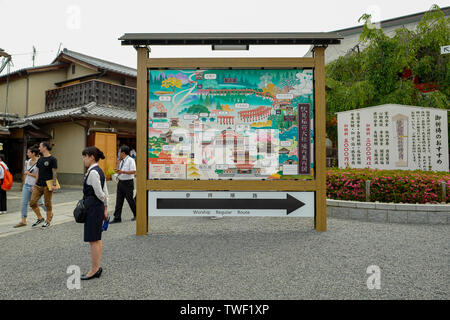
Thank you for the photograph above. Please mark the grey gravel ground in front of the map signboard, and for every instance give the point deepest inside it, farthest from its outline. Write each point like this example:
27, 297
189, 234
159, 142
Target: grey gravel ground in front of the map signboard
232, 258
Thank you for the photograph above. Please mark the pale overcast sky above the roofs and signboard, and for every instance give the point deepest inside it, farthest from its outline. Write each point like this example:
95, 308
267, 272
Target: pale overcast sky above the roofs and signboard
93, 27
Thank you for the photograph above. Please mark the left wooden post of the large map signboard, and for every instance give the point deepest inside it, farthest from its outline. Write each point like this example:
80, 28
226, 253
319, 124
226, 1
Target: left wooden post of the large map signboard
141, 142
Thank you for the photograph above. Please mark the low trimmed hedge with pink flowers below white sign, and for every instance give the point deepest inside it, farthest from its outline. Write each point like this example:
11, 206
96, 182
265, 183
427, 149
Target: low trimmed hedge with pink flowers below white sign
387, 185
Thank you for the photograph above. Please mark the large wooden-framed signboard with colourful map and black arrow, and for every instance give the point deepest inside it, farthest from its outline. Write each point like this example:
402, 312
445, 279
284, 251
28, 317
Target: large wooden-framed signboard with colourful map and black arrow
241, 132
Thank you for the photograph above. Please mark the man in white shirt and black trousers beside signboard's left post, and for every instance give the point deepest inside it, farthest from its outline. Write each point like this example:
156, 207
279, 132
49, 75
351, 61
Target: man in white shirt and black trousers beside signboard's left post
125, 186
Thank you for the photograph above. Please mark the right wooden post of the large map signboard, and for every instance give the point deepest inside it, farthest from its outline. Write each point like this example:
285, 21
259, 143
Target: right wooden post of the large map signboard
320, 220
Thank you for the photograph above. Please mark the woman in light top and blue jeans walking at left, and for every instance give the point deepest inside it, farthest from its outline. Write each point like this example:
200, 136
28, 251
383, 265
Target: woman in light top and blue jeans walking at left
30, 176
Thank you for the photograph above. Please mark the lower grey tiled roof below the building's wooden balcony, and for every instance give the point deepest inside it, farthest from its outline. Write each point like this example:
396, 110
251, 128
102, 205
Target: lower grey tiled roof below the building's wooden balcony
89, 110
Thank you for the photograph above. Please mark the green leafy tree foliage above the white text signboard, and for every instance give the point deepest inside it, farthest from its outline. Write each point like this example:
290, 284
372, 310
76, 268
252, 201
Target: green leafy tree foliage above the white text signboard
373, 76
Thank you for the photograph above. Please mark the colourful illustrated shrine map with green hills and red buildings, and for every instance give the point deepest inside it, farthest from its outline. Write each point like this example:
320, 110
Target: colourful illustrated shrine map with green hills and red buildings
230, 124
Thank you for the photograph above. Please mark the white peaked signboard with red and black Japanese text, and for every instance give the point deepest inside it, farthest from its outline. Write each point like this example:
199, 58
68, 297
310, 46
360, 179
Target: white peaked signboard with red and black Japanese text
394, 137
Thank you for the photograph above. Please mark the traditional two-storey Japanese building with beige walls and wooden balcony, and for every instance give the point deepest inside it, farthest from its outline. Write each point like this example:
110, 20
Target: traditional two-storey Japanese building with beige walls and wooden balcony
74, 102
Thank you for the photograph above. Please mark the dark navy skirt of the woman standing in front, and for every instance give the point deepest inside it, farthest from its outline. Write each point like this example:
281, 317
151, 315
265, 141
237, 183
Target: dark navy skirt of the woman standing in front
93, 226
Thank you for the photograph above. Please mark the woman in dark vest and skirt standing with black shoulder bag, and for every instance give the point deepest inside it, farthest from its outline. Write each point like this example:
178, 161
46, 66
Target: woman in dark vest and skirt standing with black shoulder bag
95, 195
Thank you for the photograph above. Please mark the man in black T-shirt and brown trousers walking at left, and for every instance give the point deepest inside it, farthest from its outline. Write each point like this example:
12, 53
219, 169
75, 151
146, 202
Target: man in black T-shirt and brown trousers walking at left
47, 166
